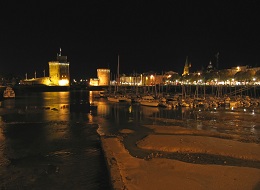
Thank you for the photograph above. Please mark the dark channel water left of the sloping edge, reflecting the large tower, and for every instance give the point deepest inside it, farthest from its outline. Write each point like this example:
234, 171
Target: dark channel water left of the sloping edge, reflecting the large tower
49, 141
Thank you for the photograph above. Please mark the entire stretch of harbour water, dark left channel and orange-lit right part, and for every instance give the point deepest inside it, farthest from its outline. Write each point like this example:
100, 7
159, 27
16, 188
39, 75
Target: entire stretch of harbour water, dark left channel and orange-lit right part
50, 140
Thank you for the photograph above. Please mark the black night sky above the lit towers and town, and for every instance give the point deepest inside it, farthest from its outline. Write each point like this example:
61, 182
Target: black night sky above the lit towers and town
148, 35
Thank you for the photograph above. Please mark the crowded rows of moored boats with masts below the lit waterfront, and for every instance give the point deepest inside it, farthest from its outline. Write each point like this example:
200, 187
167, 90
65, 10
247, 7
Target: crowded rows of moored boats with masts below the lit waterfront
190, 96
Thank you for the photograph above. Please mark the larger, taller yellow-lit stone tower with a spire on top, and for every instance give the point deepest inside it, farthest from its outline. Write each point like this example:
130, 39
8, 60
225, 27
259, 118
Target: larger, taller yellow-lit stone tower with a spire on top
59, 71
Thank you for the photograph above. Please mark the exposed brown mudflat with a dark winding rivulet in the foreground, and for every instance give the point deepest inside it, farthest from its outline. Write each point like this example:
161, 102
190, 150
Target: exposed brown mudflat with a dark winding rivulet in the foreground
158, 172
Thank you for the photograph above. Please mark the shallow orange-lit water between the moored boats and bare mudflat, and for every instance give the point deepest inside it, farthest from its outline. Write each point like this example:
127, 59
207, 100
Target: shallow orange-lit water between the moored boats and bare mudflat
239, 121
